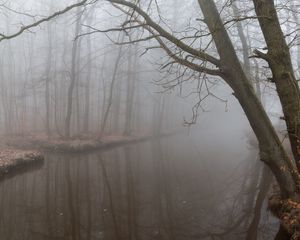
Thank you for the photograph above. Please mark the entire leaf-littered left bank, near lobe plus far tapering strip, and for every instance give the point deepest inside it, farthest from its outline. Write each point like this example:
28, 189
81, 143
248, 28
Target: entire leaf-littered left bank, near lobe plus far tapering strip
20, 154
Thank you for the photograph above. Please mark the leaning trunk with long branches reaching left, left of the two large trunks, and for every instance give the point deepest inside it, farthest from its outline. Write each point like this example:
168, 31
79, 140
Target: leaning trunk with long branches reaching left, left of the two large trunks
271, 149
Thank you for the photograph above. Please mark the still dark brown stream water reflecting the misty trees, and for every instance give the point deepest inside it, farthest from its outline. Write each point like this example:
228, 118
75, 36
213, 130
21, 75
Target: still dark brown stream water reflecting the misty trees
160, 189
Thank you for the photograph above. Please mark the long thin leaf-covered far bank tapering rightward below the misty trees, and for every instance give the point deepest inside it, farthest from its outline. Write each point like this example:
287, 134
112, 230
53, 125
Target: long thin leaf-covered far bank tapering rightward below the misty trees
77, 145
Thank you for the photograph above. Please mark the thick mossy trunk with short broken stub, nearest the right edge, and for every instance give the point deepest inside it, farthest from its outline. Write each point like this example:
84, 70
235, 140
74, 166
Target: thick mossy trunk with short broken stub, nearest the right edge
279, 60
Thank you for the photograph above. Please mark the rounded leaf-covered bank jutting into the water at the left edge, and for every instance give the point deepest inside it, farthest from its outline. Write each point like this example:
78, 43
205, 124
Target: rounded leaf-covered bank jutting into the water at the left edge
14, 161
